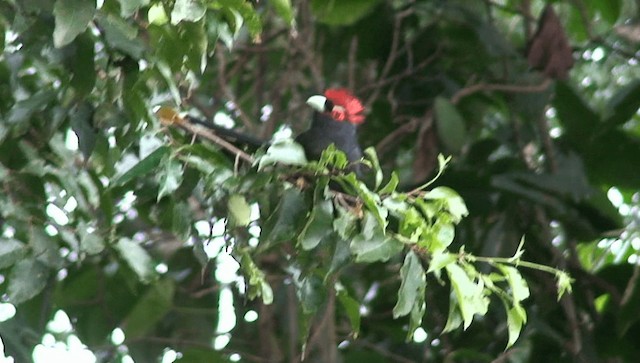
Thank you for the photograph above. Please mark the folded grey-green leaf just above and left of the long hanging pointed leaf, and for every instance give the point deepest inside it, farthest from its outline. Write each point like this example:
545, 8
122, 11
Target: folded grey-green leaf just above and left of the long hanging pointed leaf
372, 245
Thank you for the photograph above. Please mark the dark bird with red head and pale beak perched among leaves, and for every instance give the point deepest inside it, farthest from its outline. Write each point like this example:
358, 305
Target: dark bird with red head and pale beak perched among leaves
336, 116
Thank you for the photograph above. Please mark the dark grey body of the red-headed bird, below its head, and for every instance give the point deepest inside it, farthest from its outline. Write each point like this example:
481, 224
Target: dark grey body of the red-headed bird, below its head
325, 131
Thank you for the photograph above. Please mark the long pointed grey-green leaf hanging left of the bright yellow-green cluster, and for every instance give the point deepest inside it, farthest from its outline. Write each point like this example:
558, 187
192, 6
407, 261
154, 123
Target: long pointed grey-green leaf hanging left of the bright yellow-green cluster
413, 285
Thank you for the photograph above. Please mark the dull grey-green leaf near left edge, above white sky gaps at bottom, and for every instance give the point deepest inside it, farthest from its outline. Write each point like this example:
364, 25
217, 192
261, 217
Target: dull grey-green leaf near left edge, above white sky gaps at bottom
27, 279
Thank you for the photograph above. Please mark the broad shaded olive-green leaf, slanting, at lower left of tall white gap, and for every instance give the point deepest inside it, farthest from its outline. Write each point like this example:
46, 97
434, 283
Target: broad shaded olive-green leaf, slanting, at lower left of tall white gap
150, 308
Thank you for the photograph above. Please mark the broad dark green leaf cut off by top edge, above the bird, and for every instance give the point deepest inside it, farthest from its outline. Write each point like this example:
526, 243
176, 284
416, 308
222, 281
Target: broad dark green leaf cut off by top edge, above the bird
342, 12
